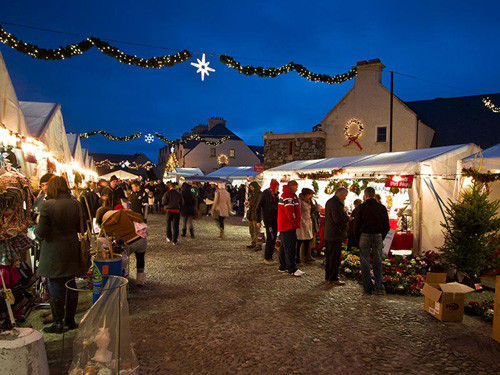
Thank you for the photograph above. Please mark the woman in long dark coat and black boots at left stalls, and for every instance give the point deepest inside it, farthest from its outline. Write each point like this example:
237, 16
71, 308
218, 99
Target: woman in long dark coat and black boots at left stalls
60, 221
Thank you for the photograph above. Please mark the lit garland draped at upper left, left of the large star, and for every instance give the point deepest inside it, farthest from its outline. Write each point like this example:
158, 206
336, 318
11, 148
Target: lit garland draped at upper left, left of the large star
83, 46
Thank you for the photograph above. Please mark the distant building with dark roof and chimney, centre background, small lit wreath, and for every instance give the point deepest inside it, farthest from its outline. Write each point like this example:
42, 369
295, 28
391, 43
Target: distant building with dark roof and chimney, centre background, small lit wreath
197, 154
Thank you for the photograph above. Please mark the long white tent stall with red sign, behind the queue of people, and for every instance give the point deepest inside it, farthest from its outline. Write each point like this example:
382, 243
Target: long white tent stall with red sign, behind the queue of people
414, 185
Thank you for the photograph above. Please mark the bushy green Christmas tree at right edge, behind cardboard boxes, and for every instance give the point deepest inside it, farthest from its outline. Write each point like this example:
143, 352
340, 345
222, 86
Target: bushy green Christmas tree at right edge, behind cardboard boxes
470, 235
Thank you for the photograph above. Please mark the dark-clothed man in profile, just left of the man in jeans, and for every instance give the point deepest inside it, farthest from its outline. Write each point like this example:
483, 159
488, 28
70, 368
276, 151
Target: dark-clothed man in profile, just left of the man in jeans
336, 221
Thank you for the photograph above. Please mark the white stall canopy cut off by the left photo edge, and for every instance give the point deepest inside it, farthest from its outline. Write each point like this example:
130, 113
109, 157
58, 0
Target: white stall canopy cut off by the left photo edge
11, 114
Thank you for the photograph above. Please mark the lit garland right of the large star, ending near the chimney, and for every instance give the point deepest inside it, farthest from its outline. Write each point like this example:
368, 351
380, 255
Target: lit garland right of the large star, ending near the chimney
274, 72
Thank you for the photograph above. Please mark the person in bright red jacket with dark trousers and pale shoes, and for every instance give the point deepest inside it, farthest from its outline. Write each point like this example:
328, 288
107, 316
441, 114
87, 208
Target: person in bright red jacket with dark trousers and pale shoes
288, 223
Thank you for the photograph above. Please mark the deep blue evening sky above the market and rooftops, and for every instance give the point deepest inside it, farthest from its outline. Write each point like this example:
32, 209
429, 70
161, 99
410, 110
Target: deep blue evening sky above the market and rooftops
453, 43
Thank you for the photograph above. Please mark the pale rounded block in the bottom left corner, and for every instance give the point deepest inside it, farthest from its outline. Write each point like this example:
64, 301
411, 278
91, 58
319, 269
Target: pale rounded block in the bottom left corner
24, 354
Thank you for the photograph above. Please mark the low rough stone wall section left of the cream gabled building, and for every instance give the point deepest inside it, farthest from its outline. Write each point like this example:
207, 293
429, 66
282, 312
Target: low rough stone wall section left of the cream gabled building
307, 146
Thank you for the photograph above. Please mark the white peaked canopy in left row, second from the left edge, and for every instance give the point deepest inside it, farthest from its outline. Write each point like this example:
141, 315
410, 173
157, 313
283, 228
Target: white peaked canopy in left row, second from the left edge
45, 122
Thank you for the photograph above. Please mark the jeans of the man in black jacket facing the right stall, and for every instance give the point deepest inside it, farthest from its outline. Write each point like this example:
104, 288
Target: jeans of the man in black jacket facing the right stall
367, 243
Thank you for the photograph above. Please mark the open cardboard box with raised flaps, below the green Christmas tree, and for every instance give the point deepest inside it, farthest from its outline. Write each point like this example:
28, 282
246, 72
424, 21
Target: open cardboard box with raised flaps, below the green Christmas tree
444, 301
